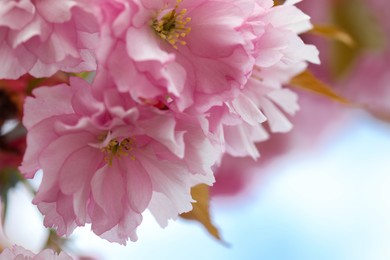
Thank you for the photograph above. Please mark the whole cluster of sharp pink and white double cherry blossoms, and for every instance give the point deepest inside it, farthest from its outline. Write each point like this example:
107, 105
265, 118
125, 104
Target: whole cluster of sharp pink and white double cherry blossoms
174, 85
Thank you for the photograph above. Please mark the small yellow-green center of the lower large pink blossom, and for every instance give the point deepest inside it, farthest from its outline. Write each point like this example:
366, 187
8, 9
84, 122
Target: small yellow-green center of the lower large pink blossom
116, 148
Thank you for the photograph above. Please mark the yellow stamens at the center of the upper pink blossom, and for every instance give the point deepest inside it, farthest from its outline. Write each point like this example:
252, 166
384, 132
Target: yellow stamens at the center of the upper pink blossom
171, 24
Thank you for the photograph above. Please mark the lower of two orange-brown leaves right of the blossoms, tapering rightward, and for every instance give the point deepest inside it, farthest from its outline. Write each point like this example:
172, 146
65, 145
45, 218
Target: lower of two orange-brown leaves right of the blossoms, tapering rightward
307, 81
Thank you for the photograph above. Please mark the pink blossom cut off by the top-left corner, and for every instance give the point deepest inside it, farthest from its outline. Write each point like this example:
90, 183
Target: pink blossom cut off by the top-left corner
42, 37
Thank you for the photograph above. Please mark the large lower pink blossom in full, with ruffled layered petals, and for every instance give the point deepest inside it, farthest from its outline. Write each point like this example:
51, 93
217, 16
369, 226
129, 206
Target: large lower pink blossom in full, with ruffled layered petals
106, 159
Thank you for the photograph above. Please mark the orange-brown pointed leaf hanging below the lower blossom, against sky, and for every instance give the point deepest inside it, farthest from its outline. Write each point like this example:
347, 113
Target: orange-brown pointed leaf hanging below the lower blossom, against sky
200, 211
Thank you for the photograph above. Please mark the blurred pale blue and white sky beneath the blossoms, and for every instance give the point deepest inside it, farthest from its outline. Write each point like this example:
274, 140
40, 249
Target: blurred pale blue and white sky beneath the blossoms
331, 203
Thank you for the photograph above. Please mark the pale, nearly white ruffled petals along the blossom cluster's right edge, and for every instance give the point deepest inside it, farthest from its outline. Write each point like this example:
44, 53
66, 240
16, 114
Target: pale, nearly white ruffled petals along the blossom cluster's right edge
280, 55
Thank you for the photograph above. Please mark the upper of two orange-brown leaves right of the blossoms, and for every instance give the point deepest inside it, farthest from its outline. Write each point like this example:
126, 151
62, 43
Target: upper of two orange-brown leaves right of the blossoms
334, 33
